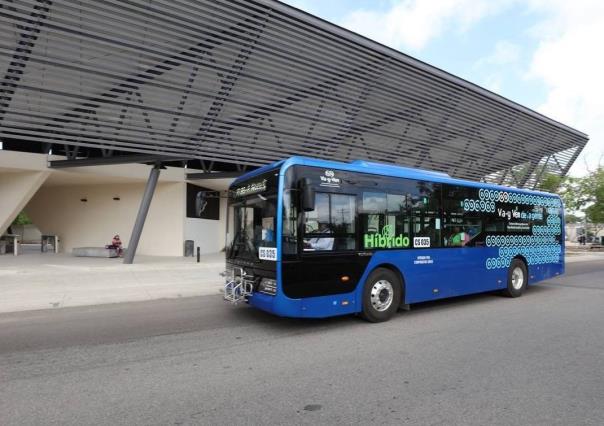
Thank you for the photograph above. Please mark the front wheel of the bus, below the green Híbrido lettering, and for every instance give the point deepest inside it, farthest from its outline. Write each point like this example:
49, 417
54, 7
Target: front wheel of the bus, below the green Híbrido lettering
381, 295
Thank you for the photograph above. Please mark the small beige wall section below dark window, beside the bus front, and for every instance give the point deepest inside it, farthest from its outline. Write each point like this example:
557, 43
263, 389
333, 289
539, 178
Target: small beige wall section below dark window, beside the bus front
208, 235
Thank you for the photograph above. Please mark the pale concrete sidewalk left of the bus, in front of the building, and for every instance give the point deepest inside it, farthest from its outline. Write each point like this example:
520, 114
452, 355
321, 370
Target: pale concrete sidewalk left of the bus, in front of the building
42, 281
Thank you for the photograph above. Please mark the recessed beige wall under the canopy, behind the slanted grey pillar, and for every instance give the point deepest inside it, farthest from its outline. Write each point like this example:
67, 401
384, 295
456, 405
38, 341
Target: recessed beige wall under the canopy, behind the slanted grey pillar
59, 210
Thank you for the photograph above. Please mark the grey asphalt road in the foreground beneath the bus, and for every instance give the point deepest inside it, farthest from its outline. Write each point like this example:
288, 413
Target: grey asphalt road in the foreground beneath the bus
477, 360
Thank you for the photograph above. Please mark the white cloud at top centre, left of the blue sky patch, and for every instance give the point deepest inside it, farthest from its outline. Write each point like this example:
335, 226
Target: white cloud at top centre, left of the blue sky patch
412, 24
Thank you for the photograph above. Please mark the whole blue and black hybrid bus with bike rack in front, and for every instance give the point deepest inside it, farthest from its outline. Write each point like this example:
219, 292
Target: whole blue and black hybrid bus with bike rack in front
315, 238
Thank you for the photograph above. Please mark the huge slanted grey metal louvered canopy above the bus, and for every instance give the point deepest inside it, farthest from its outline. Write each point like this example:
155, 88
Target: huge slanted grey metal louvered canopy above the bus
253, 81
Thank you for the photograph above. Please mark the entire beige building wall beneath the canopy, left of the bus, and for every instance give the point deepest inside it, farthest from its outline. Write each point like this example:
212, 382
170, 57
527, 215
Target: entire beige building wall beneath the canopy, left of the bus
56, 207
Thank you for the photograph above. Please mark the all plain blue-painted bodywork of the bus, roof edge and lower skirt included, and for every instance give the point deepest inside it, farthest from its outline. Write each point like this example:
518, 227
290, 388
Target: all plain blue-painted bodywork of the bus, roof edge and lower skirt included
429, 274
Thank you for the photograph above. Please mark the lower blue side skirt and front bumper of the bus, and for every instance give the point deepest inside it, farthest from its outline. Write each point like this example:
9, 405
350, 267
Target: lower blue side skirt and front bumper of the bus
447, 276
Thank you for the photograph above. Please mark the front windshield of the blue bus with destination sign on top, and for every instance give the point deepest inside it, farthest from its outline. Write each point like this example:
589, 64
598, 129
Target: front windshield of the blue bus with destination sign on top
252, 219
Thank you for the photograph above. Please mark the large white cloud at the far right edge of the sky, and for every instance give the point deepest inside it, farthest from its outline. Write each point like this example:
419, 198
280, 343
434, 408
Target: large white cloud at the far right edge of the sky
569, 61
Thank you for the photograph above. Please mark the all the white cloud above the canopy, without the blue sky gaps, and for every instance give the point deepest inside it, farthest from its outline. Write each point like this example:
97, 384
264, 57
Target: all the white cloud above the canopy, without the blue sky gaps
567, 58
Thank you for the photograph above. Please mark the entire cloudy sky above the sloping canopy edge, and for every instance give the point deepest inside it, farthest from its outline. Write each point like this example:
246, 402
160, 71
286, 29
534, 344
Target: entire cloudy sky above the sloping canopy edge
544, 54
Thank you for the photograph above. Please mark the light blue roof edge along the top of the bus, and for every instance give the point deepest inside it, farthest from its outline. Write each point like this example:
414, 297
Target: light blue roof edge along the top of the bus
383, 169
